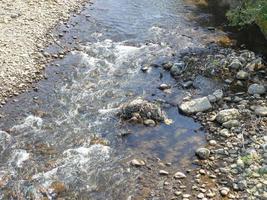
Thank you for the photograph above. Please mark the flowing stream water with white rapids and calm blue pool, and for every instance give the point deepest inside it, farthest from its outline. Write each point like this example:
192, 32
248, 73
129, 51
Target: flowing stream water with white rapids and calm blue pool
67, 131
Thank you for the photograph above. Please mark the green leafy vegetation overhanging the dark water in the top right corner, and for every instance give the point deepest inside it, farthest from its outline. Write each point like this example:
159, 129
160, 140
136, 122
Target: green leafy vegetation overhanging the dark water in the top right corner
249, 12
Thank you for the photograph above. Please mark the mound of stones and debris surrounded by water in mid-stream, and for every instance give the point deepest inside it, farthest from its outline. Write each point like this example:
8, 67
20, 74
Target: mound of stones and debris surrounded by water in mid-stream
142, 110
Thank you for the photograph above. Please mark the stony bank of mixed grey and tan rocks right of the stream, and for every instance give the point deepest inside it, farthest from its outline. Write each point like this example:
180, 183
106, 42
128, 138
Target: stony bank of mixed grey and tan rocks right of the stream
233, 164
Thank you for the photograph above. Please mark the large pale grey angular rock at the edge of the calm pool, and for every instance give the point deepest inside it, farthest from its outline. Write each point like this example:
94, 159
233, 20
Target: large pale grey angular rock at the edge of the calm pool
195, 105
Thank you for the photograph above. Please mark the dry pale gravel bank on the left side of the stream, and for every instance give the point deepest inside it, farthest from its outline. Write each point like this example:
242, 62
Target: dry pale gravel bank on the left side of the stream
23, 29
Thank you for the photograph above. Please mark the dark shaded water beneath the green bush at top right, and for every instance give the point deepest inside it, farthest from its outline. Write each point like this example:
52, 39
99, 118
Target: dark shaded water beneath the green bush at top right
214, 15
